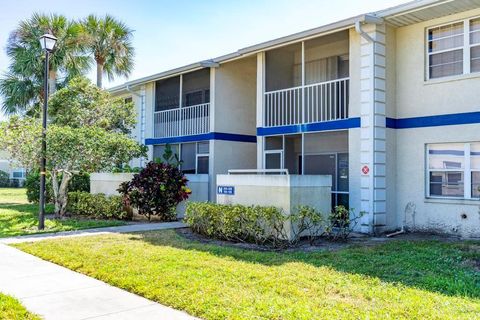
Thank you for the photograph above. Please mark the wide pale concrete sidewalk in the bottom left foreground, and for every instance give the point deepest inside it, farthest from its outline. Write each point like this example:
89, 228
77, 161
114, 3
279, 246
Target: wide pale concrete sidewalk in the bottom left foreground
55, 292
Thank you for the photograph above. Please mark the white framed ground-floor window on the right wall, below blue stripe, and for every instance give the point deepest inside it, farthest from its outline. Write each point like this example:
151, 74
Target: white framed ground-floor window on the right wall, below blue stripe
453, 170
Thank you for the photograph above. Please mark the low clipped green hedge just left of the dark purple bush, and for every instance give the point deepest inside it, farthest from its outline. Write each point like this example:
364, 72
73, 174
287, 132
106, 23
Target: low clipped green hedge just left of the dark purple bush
97, 206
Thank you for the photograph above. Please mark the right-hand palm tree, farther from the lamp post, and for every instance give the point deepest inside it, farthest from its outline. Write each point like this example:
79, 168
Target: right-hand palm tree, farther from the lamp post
110, 42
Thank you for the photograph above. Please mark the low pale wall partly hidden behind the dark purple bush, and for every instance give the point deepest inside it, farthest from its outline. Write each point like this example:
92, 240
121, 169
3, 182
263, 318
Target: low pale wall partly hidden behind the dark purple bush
108, 184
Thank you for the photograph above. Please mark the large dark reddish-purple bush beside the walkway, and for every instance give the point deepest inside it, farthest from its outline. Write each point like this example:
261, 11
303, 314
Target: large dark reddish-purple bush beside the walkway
156, 191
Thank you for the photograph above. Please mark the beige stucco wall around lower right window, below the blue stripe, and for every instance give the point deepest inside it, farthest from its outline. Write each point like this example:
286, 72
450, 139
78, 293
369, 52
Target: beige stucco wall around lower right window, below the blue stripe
432, 214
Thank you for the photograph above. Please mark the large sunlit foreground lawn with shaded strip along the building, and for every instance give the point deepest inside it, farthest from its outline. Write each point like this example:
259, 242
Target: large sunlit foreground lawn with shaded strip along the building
394, 280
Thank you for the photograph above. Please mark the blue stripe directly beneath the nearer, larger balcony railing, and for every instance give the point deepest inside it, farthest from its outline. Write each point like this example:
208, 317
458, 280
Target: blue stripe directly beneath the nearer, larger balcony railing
311, 127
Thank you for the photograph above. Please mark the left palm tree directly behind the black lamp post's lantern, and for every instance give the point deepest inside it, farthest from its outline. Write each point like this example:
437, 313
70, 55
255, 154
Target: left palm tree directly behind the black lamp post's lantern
21, 86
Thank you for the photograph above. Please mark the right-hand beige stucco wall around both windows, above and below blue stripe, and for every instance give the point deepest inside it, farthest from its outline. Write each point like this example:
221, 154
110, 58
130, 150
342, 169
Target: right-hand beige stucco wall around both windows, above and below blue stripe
415, 96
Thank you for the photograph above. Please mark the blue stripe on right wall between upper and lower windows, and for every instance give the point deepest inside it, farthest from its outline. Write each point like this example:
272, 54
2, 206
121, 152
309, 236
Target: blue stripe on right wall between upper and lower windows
434, 121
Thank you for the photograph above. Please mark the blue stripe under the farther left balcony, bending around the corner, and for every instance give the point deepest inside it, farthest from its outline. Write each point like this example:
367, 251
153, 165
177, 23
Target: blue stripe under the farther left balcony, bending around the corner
203, 137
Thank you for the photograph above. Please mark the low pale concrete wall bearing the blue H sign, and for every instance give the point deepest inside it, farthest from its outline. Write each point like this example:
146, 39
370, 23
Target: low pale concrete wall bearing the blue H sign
286, 192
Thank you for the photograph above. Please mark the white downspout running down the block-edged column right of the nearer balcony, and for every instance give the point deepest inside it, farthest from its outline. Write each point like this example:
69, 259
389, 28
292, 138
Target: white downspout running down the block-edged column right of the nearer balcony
370, 19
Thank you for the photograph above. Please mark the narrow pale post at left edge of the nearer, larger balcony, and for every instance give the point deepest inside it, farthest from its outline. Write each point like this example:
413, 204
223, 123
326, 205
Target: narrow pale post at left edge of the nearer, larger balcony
260, 105
